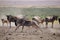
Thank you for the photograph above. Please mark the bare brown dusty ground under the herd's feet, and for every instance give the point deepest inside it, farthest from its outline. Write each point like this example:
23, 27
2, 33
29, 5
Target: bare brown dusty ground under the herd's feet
30, 33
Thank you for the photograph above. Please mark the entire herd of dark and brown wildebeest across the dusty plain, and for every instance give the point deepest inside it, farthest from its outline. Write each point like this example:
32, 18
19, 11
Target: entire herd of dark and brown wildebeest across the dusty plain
34, 22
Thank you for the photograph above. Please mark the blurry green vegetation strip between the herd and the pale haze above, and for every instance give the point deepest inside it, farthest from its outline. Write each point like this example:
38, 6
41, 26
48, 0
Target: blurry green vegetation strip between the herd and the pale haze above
30, 11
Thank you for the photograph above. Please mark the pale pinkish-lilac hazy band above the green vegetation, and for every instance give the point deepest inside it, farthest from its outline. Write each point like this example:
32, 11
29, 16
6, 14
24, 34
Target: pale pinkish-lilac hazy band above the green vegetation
30, 3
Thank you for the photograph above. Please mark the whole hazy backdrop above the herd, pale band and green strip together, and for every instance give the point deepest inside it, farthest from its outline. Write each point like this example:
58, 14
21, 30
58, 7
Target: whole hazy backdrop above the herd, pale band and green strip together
30, 7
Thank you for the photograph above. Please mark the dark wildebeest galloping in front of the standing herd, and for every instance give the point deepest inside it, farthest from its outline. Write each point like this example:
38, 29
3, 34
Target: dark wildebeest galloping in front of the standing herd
22, 22
